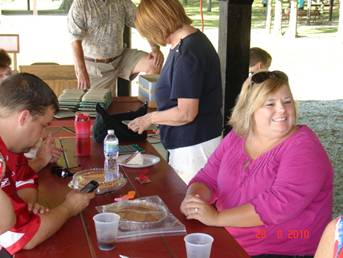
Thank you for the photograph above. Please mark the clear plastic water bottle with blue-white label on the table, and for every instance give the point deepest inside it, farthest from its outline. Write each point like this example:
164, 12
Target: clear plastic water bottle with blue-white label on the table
111, 152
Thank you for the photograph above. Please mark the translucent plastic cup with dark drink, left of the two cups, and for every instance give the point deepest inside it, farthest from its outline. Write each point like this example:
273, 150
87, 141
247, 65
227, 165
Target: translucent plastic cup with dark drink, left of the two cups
106, 227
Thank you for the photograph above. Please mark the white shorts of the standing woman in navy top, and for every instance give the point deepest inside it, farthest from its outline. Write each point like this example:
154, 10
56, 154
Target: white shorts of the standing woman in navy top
187, 161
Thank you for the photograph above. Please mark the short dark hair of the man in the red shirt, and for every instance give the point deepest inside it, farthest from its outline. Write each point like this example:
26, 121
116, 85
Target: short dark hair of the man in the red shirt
26, 91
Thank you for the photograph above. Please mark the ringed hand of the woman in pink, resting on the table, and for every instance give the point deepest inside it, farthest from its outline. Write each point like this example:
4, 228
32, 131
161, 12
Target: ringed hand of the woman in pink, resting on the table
195, 208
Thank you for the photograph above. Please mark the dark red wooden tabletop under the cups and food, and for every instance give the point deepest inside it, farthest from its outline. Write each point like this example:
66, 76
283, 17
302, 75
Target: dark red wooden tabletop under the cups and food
77, 237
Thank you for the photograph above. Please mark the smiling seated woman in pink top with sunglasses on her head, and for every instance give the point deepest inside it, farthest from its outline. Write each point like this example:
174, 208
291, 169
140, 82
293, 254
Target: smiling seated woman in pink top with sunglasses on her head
270, 180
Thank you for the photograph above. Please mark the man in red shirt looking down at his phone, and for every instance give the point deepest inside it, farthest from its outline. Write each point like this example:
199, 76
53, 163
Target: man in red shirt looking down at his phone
27, 106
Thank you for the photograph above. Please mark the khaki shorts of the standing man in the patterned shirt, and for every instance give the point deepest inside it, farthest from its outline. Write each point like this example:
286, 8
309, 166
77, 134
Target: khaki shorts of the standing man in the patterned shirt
105, 76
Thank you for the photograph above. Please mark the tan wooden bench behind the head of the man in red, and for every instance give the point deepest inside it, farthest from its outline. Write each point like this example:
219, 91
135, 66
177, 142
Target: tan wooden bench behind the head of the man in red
58, 77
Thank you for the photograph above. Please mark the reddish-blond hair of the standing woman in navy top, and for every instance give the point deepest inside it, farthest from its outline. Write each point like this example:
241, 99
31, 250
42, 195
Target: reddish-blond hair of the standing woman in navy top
156, 20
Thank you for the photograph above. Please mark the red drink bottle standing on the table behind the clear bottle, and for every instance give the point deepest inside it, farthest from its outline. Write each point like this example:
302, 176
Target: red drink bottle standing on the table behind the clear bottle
82, 125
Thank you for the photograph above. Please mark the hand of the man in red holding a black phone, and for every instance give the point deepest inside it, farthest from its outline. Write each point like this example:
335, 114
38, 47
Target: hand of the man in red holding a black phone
76, 201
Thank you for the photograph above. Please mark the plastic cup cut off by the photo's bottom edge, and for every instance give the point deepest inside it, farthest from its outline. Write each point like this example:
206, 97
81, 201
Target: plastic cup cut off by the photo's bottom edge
198, 245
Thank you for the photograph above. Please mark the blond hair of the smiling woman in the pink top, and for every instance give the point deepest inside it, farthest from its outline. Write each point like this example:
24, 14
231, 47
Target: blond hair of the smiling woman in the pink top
252, 97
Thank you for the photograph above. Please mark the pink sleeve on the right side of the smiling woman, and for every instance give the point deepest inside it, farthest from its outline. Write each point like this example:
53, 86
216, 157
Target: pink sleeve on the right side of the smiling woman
304, 171
